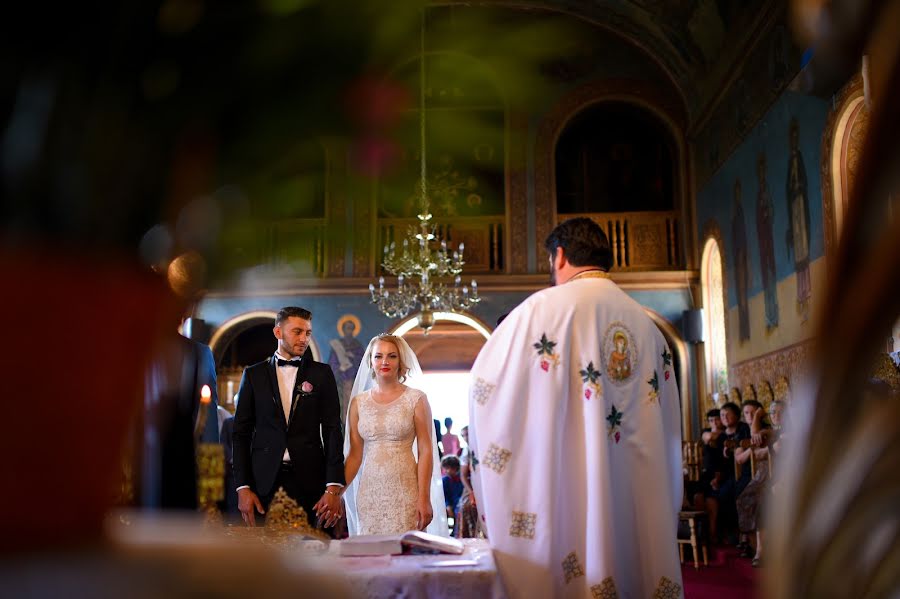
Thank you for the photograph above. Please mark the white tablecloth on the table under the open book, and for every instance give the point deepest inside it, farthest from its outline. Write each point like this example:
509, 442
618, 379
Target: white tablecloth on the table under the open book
413, 576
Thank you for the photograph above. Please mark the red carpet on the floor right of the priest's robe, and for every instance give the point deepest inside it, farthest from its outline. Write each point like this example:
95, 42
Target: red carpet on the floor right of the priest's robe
727, 576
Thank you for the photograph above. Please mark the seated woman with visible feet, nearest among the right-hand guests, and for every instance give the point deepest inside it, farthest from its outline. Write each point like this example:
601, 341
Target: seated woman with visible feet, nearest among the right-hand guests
749, 501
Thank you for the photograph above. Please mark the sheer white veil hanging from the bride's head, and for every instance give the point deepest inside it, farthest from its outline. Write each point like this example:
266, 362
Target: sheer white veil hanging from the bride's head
365, 381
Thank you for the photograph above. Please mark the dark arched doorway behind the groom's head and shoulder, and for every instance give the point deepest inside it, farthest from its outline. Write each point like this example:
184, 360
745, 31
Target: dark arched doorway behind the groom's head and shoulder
240, 342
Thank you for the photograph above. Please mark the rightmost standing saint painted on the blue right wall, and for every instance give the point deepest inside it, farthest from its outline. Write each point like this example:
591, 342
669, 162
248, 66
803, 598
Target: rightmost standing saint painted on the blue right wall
797, 237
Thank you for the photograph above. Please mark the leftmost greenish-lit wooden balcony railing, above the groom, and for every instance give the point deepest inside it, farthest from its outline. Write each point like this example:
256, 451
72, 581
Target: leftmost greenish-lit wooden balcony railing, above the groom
299, 243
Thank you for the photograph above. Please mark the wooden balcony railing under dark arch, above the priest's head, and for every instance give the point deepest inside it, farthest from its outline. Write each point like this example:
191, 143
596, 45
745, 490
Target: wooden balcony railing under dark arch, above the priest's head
640, 240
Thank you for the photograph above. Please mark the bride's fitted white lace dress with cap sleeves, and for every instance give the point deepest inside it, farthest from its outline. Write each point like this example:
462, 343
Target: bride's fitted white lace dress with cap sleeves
388, 484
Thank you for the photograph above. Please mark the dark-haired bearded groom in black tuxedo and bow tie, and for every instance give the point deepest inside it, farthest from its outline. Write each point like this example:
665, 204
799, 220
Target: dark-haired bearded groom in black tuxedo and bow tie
287, 428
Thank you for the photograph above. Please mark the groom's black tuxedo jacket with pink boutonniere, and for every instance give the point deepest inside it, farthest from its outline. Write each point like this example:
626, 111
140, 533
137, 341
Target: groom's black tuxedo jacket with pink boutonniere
312, 435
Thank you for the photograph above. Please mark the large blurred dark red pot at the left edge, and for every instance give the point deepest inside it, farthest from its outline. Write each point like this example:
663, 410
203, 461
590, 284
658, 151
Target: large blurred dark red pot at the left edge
102, 317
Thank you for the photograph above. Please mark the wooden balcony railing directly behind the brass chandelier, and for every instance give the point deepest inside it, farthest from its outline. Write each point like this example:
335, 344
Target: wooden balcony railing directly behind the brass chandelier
483, 236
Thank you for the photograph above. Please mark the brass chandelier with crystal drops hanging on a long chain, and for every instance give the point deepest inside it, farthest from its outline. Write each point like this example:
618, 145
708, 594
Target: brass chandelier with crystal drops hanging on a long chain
425, 263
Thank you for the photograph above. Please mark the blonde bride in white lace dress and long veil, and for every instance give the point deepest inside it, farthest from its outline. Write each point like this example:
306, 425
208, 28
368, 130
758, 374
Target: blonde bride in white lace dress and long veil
391, 459
